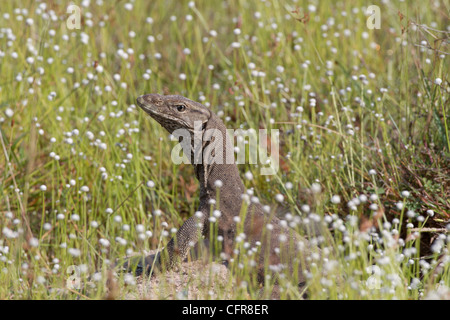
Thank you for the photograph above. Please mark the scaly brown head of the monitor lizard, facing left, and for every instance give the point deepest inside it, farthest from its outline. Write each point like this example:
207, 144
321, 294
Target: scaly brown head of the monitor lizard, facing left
173, 111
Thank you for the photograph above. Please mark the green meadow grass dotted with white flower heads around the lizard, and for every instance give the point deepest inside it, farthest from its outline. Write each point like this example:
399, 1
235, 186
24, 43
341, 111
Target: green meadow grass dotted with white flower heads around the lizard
363, 114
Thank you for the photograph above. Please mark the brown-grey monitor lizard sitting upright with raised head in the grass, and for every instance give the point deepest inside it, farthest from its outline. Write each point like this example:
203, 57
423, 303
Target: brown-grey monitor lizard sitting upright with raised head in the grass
280, 245
